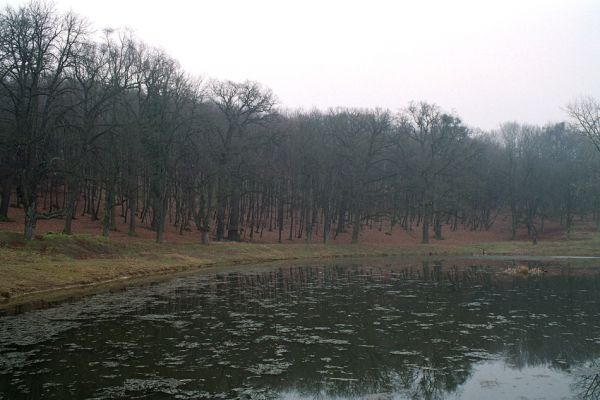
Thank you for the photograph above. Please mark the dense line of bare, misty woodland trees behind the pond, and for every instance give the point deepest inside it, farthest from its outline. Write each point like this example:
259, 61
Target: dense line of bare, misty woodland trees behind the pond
115, 129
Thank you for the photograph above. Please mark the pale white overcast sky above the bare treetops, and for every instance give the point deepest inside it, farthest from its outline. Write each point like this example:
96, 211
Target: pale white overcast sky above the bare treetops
489, 61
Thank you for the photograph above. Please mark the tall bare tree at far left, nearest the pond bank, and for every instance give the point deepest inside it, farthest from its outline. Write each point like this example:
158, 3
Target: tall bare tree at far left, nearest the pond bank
37, 47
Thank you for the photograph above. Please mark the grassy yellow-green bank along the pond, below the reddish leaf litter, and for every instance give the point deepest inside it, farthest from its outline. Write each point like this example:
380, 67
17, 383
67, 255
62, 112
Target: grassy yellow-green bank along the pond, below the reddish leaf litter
58, 262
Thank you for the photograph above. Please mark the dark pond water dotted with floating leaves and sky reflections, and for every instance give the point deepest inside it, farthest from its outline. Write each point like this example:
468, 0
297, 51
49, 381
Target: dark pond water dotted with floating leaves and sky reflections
378, 331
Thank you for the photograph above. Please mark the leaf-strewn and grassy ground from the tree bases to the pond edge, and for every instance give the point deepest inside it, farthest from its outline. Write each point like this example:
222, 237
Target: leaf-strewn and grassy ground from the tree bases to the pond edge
55, 265
